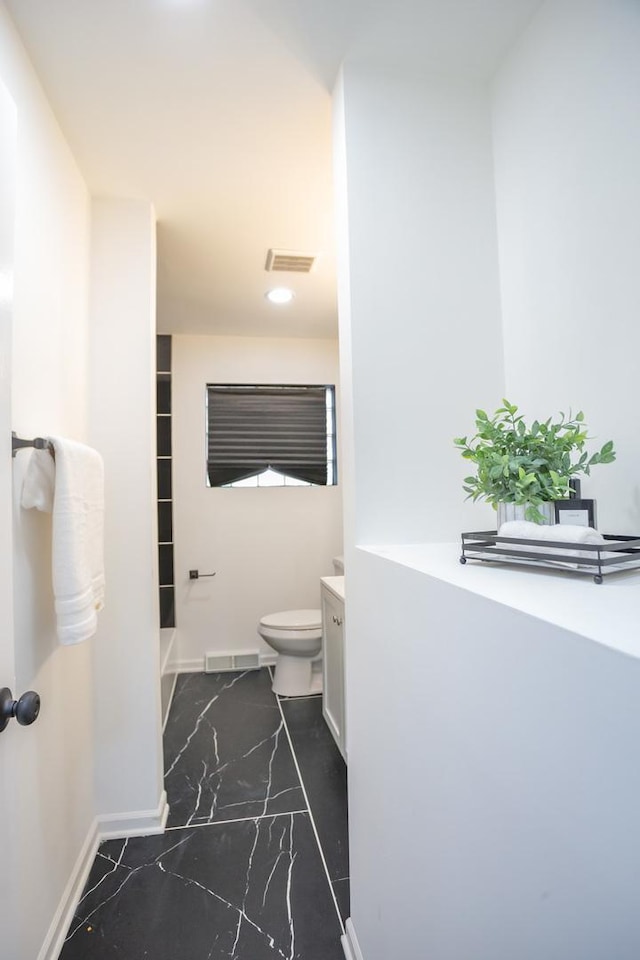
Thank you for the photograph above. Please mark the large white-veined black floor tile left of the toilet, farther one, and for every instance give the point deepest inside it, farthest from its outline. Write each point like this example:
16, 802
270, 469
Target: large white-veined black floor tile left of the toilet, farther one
226, 751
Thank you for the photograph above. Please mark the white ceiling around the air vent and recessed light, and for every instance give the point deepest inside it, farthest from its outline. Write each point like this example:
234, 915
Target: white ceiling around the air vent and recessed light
219, 112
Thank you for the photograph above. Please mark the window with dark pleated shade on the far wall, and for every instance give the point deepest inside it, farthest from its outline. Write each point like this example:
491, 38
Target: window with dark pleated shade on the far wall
270, 435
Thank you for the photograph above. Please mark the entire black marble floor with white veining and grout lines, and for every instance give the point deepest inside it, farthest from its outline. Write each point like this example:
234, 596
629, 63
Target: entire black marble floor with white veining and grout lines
238, 875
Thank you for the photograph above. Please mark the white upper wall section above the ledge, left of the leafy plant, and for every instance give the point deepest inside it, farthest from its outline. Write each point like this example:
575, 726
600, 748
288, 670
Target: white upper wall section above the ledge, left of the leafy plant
424, 326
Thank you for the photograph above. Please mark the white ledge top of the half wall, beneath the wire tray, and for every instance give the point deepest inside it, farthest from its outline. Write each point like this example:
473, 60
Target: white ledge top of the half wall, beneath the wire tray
608, 613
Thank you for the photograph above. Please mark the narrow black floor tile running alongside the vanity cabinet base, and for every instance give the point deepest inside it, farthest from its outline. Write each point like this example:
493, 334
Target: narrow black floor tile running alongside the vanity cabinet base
324, 774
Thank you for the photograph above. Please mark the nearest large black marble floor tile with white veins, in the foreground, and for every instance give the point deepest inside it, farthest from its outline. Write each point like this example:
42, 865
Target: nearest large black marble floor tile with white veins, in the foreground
253, 890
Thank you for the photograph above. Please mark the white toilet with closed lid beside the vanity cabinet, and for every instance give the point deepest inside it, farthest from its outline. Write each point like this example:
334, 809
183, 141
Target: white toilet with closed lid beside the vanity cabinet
296, 635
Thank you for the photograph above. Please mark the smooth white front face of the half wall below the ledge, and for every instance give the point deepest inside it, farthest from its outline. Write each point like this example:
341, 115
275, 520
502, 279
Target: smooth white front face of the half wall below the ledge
492, 774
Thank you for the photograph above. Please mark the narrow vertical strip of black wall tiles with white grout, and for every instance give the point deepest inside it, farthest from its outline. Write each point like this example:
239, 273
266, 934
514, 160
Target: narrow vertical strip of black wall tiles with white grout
165, 488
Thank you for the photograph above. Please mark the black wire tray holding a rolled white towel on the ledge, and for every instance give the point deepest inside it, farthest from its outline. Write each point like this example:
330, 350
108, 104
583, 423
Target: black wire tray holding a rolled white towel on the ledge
618, 554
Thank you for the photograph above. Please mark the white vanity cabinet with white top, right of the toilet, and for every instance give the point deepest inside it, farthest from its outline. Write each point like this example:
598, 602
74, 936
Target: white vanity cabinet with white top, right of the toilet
333, 633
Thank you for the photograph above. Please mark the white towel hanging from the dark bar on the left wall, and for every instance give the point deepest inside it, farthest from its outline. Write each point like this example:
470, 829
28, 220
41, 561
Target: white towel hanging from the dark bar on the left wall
72, 487
